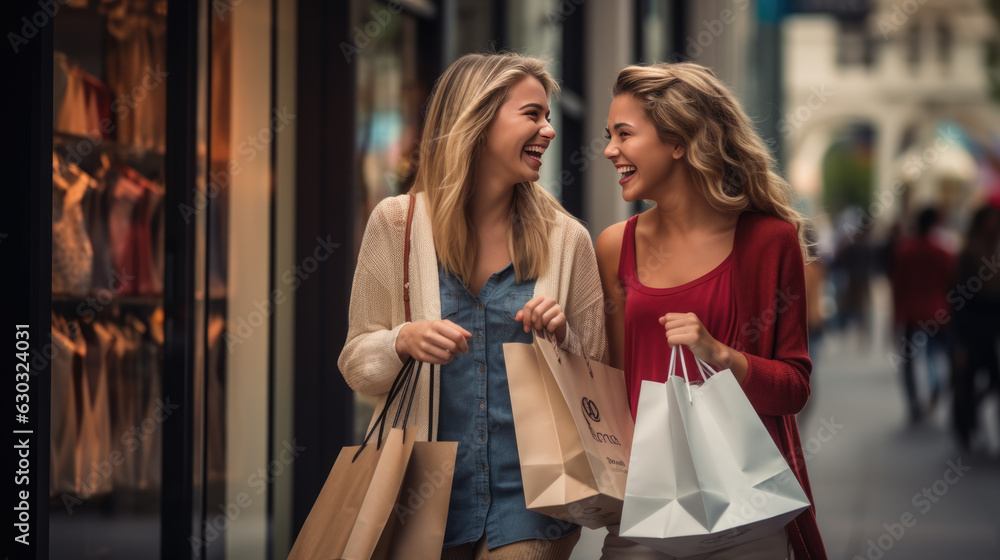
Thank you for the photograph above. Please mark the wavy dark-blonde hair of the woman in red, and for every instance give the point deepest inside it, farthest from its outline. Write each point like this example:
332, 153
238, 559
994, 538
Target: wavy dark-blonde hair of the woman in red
729, 162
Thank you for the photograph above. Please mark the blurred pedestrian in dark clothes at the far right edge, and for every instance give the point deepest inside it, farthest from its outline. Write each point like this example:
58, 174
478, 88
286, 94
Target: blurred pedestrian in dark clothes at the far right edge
977, 322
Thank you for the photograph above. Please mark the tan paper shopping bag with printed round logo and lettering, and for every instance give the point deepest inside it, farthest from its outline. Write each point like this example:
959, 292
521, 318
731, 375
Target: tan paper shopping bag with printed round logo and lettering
574, 432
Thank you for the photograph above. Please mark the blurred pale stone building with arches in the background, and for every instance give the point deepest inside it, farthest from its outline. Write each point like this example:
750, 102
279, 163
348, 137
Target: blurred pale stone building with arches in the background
916, 76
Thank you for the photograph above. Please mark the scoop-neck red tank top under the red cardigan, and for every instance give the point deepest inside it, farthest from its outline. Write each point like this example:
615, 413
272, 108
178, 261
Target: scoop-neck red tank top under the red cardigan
647, 356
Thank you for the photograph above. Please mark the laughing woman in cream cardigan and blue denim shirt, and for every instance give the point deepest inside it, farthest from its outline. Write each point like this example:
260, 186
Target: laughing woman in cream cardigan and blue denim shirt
493, 256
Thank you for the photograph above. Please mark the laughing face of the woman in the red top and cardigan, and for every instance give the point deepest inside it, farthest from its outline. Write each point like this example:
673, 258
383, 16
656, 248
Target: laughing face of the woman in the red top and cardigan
644, 161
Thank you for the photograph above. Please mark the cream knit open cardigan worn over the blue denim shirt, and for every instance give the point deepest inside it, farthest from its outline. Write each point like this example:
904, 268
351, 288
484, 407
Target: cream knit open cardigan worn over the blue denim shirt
369, 361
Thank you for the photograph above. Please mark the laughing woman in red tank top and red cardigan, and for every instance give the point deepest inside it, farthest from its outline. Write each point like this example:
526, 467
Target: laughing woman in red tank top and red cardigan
716, 265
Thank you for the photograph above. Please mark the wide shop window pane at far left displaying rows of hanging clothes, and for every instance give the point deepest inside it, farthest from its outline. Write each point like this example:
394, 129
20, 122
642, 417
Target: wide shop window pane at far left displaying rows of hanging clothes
109, 115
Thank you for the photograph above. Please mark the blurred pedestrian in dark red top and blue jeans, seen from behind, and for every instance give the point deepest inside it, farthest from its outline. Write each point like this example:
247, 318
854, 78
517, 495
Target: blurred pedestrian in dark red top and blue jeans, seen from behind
921, 275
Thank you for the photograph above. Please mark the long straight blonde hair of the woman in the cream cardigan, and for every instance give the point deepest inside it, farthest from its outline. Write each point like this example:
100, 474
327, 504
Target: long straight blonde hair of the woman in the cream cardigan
464, 102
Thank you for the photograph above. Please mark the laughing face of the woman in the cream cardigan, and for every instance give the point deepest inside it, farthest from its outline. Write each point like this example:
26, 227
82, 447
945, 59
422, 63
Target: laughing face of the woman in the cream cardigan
519, 134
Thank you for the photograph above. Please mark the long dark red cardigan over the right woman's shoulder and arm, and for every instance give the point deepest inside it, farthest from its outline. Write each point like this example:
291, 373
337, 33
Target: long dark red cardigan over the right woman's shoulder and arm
771, 311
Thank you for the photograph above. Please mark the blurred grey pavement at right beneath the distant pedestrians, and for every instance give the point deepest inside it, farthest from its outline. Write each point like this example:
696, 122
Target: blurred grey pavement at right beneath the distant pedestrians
883, 490
